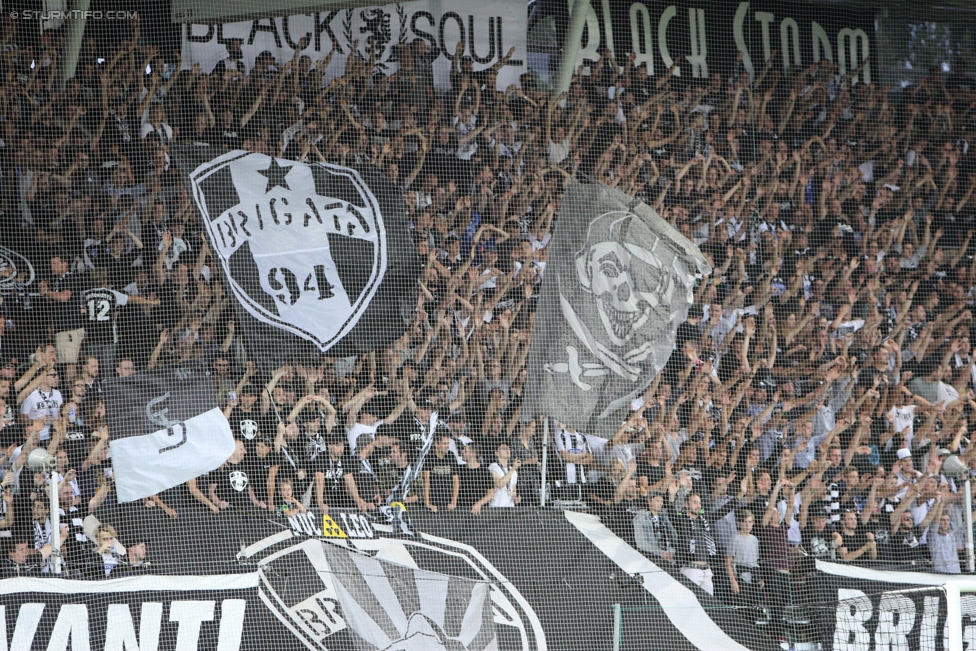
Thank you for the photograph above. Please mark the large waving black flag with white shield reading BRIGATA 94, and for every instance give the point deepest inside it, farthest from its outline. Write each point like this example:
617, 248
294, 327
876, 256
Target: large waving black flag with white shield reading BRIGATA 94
317, 257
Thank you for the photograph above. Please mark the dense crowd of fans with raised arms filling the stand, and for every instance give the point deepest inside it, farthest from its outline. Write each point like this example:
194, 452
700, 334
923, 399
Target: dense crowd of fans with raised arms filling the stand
824, 373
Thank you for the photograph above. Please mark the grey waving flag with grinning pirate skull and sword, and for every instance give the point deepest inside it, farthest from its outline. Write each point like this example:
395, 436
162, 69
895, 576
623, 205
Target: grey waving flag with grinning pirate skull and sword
618, 282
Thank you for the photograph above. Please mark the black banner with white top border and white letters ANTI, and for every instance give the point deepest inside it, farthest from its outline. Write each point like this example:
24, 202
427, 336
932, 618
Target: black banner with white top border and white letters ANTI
149, 613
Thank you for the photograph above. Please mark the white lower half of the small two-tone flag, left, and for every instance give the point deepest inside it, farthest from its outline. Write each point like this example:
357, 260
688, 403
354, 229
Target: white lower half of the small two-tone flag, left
146, 465
